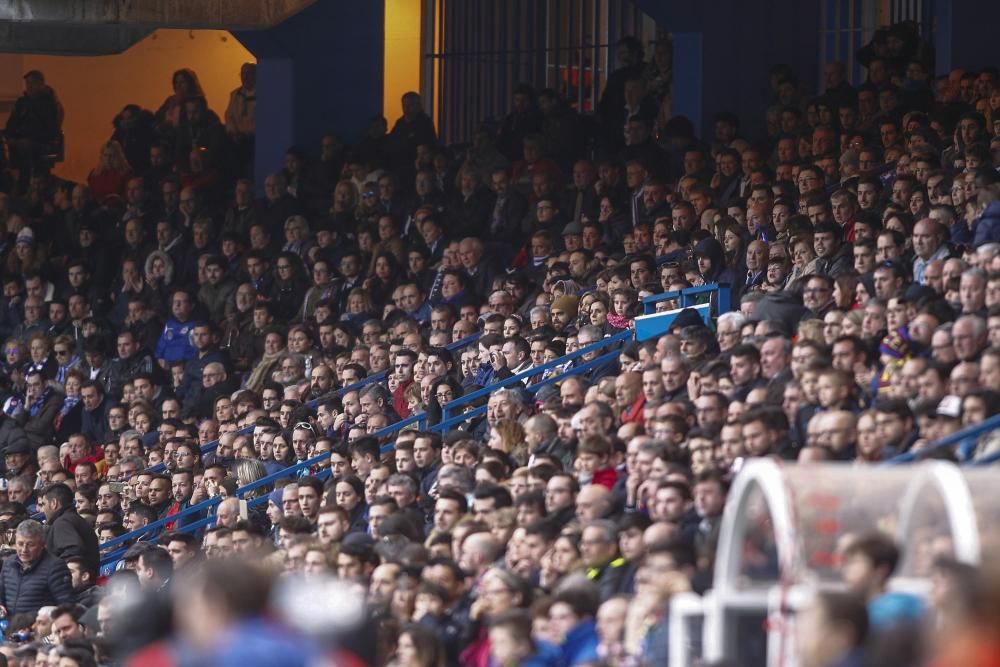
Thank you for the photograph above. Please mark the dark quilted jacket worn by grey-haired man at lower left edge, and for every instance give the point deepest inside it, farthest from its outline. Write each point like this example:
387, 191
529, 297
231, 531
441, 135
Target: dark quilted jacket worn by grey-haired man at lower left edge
46, 582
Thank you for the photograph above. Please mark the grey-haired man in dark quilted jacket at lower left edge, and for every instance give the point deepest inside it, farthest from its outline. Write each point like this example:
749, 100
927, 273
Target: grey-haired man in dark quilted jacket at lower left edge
32, 577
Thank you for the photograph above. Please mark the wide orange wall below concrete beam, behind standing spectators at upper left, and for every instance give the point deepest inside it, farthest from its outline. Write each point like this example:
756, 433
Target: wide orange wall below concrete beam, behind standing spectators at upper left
94, 89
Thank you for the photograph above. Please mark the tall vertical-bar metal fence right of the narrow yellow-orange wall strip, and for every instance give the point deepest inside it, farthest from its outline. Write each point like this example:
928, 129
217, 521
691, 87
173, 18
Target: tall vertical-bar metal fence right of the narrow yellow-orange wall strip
483, 49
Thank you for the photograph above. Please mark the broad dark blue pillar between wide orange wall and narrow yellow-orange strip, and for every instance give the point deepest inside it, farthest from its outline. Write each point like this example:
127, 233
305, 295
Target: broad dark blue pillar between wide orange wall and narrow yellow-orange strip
319, 72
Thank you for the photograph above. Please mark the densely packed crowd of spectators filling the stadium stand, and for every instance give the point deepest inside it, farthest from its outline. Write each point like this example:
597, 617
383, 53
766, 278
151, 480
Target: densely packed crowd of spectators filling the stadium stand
160, 307
